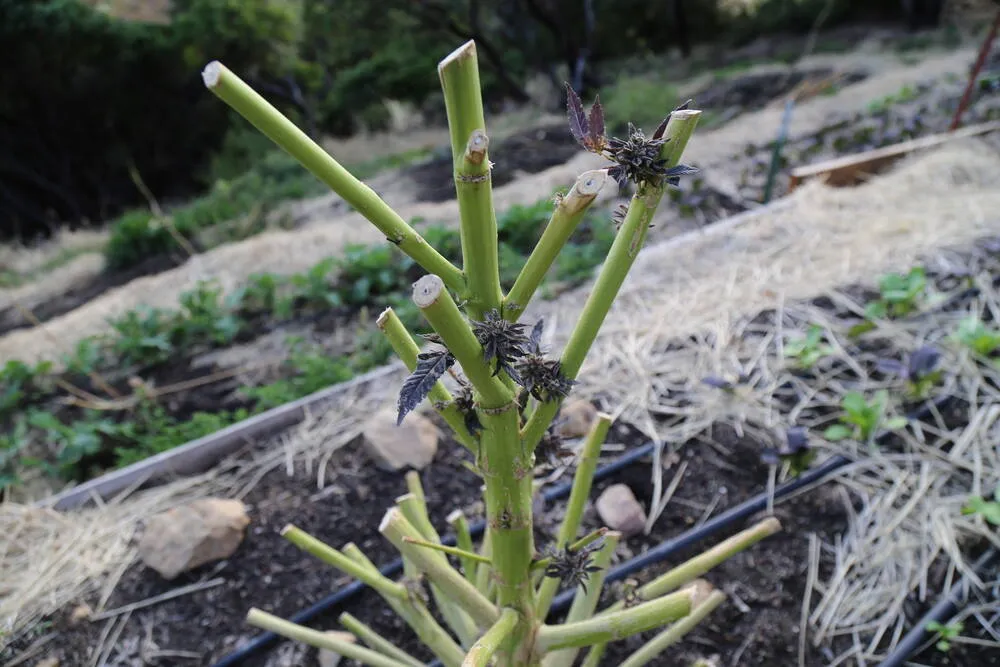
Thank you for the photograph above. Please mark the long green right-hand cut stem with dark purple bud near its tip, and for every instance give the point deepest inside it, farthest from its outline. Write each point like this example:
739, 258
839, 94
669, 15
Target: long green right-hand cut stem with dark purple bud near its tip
629, 241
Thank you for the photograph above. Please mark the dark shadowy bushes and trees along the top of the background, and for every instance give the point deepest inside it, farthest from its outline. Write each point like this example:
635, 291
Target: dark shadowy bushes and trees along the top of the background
88, 100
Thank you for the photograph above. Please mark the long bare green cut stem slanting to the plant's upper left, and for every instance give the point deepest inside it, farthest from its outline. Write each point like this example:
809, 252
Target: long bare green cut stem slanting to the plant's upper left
248, 103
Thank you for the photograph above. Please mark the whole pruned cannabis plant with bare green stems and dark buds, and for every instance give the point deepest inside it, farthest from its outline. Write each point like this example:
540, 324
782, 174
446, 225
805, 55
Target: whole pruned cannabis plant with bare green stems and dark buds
487, 375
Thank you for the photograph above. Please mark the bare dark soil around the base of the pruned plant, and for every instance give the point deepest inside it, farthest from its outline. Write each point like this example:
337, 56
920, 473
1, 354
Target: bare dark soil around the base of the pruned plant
269, 573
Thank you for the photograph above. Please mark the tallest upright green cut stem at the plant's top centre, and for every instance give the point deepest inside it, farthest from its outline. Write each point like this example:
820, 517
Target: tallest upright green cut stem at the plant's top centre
459, 75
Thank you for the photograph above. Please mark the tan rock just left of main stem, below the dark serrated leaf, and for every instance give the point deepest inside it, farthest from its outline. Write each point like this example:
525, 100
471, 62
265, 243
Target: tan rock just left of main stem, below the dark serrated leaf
413, 443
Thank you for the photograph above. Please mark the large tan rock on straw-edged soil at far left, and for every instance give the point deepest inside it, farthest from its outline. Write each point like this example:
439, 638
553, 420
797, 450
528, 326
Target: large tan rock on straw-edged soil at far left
185, 537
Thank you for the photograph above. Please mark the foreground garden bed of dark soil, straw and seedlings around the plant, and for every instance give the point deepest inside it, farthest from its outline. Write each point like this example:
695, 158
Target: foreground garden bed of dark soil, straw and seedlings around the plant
803, 379
